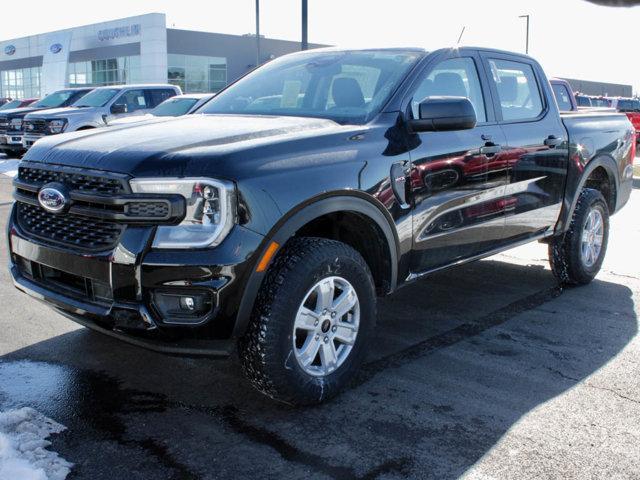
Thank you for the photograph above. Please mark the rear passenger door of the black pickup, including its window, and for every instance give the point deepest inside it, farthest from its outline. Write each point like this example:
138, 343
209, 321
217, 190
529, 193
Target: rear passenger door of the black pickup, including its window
536, 144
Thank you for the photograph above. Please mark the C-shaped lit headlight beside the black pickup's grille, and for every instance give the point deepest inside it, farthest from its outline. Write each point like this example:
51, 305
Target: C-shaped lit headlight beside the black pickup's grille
210, 213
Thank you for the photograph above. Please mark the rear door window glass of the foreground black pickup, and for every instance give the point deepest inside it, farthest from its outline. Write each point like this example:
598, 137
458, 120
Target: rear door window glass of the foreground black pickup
518, 90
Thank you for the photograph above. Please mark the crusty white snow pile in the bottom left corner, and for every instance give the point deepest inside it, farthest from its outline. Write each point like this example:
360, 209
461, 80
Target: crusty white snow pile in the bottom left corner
23, 454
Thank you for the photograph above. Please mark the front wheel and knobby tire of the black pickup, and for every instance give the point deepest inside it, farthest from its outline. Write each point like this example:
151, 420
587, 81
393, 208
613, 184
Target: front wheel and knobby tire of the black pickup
312, 322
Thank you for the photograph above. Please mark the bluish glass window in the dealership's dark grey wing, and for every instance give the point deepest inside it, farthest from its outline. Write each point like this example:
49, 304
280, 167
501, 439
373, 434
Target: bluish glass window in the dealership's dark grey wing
197, 74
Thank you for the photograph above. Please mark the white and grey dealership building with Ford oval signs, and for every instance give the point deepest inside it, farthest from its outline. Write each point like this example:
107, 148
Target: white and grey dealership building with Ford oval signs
137, 49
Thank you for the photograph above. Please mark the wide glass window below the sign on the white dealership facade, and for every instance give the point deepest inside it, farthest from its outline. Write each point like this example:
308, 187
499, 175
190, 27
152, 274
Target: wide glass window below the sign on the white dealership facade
110, 71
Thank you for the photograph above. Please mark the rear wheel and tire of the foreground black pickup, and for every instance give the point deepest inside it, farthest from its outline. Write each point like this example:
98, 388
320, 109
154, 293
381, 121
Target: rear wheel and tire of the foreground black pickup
577, 256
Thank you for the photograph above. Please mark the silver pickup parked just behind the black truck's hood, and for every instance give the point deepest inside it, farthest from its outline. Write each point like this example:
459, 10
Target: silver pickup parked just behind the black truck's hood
97, 109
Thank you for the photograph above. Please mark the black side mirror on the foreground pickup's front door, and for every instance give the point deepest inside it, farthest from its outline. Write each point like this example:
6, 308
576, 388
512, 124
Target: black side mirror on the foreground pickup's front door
441, 114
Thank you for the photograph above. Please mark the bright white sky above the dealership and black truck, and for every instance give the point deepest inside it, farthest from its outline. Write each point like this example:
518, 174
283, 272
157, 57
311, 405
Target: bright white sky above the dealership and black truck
571, 38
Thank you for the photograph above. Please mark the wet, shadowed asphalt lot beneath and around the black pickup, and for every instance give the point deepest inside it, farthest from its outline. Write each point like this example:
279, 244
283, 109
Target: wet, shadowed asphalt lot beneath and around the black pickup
483, 371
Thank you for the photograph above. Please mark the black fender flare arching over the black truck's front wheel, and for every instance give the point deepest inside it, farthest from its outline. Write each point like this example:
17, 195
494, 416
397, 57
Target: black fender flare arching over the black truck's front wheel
304, 215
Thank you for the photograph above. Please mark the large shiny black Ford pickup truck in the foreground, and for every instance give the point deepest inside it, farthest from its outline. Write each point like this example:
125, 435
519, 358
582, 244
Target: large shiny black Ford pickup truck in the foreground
272, 220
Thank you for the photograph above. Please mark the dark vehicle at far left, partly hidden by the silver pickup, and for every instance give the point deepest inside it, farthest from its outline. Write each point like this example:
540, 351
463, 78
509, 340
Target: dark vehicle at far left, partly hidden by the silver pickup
11, 121
